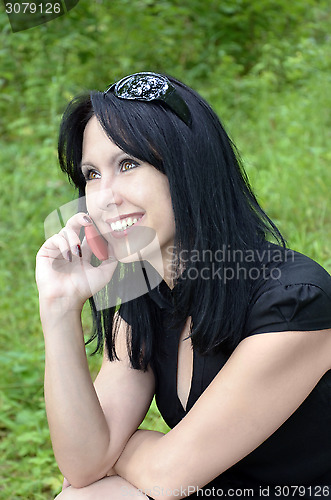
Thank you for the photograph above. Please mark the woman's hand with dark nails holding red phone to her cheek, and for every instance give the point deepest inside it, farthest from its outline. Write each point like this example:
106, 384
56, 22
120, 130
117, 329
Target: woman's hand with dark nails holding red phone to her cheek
64, 274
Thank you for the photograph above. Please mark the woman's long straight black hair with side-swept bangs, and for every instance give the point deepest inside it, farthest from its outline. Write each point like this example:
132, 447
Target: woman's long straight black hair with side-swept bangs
214, 208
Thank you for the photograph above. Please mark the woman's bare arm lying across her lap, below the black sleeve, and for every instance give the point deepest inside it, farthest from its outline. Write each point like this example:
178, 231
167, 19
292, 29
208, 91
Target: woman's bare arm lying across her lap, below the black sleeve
262, 384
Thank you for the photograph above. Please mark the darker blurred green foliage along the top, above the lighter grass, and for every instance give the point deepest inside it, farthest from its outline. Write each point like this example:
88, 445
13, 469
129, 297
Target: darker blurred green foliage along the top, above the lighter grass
278, 41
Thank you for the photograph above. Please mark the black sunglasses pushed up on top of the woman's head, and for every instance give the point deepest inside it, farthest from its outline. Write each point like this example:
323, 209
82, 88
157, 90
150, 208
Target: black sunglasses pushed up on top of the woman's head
151, 87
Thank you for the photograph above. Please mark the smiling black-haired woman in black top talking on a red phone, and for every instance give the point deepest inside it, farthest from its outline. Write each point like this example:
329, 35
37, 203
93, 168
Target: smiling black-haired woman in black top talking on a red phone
232, 333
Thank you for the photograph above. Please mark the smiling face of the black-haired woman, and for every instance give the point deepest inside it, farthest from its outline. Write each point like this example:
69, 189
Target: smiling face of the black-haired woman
129, 200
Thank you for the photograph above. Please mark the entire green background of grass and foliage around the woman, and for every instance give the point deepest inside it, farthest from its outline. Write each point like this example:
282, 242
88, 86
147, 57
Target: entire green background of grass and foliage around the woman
268, 77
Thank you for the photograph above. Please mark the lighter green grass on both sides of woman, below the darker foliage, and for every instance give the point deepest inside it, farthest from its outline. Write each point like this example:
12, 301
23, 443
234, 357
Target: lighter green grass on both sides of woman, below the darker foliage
284, 139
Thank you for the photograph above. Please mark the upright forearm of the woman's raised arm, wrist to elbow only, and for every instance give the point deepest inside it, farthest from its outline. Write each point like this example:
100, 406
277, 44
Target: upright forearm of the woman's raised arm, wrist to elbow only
79, 431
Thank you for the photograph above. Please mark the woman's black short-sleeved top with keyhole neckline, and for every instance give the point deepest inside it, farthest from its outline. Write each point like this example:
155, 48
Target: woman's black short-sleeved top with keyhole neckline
295, 296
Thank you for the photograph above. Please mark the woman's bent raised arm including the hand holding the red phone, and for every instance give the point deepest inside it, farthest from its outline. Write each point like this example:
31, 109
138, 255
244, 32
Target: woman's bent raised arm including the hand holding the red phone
87, 436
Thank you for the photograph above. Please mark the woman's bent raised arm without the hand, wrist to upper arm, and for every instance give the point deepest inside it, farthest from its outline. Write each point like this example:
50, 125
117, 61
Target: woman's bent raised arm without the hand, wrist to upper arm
89, 425
